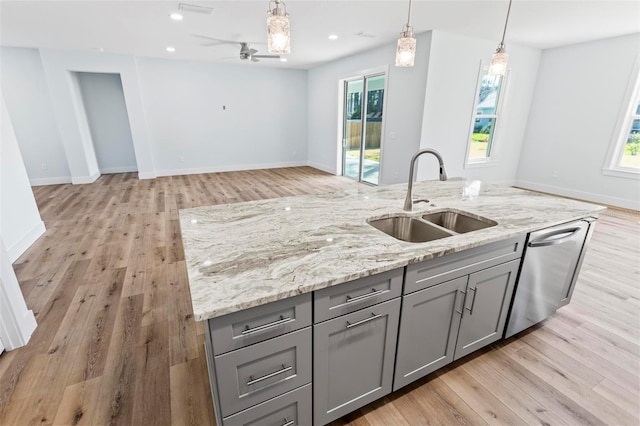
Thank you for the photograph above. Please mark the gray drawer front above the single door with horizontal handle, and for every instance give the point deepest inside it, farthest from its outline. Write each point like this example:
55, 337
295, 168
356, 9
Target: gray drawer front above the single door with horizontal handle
345, 298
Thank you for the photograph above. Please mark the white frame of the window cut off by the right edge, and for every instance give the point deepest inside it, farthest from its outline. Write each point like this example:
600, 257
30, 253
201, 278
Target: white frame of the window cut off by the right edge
624, 122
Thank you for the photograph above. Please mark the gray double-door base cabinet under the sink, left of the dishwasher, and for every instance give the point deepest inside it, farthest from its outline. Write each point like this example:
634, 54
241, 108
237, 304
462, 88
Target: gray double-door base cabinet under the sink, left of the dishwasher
448, 320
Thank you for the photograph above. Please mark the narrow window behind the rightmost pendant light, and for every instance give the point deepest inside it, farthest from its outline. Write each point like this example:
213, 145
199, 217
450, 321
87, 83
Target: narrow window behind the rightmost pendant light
486, 115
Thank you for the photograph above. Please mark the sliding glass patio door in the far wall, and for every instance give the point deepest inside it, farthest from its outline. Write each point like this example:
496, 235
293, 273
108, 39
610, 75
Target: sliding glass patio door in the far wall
362, 127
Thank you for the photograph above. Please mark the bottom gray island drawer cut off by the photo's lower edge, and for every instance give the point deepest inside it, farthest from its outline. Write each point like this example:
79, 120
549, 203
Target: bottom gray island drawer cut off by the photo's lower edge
291, 409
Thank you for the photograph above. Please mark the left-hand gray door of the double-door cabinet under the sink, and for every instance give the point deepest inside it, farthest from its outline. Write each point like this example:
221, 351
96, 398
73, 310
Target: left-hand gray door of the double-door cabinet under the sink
428, 331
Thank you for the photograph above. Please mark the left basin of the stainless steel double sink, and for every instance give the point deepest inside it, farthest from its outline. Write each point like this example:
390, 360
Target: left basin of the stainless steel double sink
409, 229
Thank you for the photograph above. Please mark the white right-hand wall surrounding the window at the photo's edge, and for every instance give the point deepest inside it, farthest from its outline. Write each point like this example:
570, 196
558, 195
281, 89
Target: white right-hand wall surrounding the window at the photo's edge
578, 99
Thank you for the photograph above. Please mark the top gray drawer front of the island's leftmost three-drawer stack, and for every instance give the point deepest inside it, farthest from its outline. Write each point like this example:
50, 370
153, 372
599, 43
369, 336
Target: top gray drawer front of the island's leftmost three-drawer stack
244, 328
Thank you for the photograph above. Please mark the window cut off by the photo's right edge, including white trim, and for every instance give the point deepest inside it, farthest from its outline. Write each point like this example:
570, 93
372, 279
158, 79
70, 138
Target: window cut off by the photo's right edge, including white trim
624, 153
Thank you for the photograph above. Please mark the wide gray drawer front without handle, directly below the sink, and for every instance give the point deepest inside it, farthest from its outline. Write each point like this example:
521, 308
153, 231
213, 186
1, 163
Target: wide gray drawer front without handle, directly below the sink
449, 267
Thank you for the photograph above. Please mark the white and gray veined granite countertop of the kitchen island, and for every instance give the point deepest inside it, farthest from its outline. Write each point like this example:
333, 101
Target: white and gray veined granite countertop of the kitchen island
247, 254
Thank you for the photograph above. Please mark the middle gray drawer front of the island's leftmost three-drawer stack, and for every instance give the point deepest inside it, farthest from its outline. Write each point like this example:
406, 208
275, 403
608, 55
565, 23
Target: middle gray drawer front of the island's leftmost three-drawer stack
254, 374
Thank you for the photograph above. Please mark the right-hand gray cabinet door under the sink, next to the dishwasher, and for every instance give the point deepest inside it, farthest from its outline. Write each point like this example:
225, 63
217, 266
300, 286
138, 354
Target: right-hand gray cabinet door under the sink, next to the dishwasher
486, 305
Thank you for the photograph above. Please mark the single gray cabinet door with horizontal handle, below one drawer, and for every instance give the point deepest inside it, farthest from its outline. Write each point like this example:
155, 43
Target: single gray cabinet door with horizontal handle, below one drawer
353, 360
